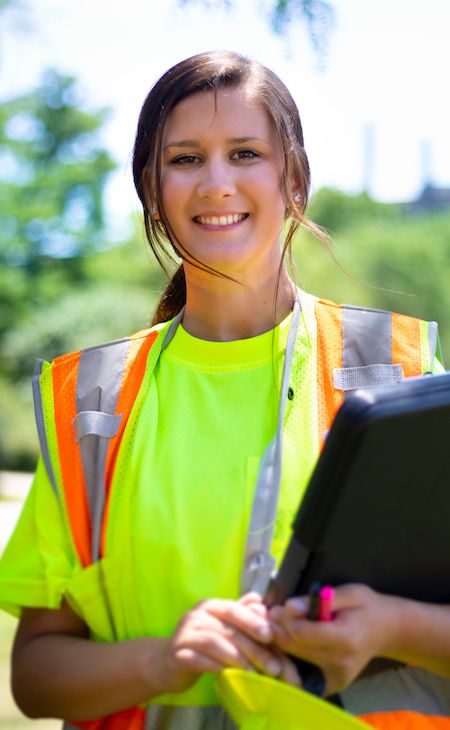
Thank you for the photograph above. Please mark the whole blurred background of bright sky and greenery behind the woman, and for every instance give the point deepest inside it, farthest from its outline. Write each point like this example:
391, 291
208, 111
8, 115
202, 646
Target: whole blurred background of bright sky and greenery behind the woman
371, 81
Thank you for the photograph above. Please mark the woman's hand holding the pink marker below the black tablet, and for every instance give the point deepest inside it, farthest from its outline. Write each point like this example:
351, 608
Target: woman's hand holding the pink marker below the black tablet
362, 628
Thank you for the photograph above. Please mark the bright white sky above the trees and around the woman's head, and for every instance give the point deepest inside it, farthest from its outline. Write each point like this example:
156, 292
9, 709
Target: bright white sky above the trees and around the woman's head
386, 70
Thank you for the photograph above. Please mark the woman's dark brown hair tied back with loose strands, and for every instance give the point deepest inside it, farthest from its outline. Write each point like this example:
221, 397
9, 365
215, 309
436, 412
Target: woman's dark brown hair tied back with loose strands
210, 72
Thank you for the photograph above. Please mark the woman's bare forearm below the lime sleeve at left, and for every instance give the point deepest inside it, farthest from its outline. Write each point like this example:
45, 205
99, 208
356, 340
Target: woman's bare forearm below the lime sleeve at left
77, 679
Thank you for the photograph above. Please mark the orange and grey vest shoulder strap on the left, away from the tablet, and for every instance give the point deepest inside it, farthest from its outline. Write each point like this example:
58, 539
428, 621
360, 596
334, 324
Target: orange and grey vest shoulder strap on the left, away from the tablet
83, 401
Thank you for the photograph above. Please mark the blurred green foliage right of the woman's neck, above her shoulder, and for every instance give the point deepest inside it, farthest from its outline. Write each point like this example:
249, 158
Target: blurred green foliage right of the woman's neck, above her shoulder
386, 258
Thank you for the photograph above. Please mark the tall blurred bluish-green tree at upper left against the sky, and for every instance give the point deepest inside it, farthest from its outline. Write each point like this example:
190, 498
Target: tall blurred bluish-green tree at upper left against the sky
52, 175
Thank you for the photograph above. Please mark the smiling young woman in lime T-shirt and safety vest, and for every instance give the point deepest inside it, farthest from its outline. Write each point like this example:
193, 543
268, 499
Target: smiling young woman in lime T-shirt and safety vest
160, 503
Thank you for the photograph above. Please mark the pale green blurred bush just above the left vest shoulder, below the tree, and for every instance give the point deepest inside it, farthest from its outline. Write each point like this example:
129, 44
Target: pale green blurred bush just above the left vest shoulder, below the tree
113, 302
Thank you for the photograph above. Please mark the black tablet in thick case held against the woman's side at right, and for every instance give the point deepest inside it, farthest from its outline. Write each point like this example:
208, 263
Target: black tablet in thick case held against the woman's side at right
377, 507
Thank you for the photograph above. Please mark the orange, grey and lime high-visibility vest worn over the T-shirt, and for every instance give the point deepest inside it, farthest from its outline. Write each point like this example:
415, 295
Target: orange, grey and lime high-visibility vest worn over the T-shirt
85, 401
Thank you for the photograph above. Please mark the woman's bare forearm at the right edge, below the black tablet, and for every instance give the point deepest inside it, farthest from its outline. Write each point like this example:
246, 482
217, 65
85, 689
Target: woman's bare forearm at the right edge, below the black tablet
420, 635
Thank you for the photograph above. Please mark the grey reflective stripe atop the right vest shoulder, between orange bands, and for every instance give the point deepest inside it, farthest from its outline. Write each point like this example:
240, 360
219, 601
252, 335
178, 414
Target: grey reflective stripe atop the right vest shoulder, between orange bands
366, 336
